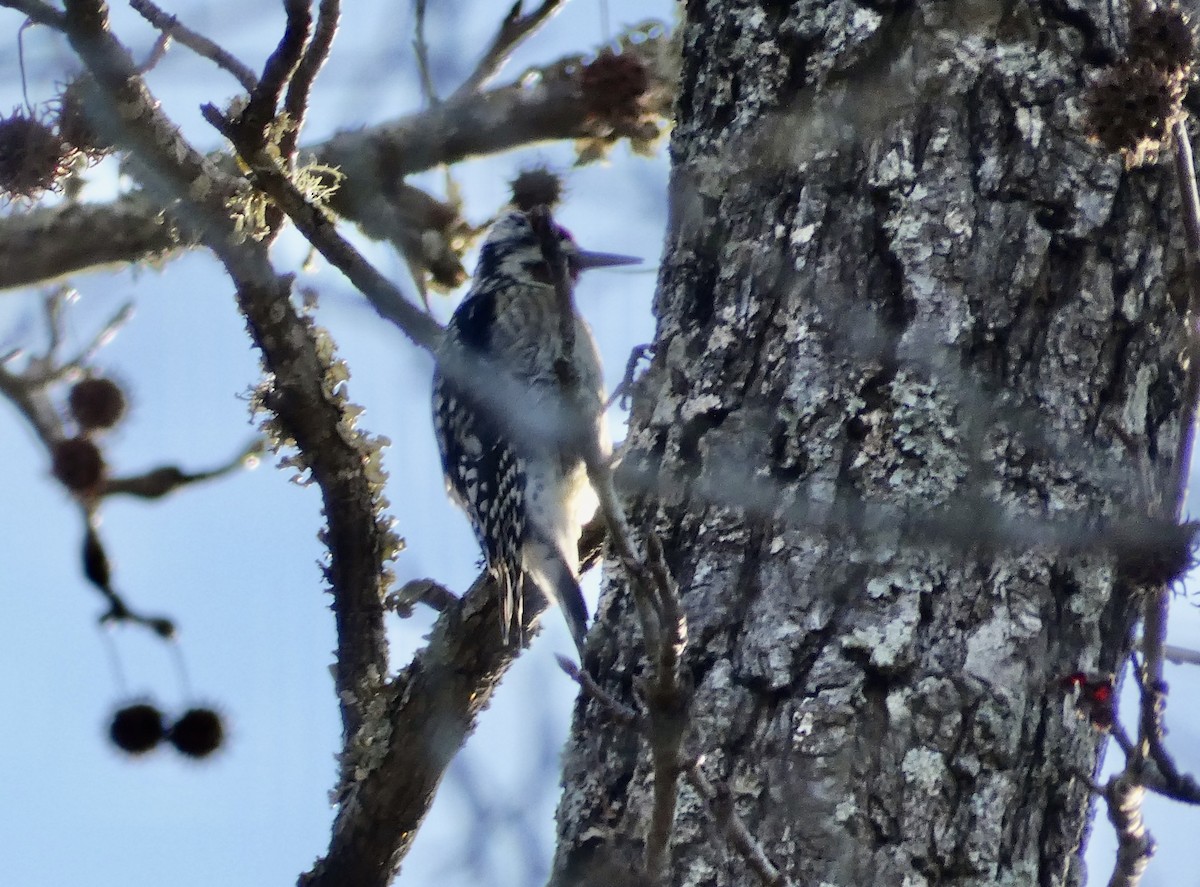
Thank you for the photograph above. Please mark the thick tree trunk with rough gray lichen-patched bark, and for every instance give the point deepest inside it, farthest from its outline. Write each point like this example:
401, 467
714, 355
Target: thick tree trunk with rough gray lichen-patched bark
915, 331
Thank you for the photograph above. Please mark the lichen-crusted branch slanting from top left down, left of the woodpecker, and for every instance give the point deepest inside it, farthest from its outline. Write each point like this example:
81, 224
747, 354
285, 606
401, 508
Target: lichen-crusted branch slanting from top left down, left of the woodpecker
303, 392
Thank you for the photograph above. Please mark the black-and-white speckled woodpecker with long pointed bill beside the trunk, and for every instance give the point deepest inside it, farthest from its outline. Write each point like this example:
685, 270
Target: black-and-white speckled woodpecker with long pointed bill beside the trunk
518, 410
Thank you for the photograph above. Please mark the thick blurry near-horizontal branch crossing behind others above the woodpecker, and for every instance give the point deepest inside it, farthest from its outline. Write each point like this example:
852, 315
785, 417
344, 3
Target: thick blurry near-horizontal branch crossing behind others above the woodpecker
49, 244
